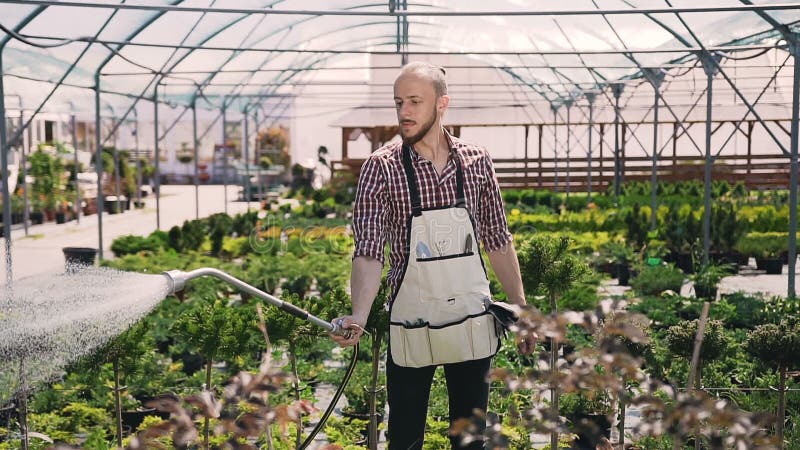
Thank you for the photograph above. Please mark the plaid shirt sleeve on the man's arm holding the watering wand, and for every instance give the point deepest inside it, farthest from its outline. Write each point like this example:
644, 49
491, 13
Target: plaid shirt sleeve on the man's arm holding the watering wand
370, 211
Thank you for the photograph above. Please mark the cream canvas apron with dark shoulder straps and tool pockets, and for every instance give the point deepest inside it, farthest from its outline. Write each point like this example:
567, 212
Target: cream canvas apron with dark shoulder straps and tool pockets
439, 313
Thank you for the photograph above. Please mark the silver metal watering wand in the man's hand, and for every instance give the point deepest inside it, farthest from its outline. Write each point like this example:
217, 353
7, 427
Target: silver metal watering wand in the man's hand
178, 279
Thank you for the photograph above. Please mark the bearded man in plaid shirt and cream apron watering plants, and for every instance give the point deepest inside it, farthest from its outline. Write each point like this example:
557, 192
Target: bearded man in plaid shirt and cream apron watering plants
434, 197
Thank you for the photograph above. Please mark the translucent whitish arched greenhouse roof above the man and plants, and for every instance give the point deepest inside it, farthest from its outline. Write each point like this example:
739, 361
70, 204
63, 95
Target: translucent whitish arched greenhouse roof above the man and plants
217, 51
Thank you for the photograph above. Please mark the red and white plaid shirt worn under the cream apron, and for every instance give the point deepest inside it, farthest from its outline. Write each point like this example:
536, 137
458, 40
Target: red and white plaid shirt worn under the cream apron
382, 205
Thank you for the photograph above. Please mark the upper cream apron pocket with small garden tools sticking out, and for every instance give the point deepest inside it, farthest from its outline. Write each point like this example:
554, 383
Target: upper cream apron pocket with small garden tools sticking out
446, 277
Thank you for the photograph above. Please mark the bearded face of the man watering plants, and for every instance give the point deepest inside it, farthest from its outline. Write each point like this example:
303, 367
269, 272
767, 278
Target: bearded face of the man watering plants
416, 104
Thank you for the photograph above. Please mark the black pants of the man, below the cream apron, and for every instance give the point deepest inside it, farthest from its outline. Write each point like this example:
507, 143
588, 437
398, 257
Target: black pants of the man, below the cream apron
408, 390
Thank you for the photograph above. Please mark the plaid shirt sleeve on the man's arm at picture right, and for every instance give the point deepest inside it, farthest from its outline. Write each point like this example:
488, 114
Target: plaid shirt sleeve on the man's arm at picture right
491, 217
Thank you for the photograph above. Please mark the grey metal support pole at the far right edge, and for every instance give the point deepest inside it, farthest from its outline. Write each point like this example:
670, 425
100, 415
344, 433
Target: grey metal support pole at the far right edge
794, 46
